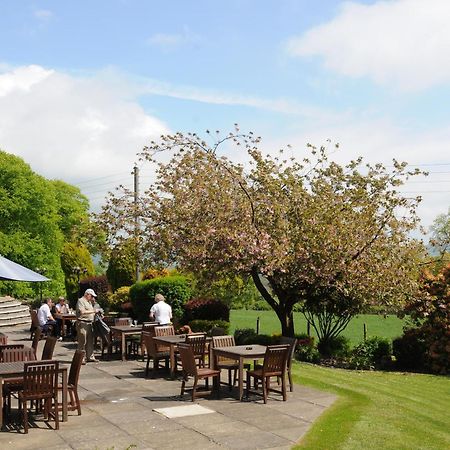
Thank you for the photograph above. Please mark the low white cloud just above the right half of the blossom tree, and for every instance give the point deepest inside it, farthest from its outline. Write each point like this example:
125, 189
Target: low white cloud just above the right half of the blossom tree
382, 141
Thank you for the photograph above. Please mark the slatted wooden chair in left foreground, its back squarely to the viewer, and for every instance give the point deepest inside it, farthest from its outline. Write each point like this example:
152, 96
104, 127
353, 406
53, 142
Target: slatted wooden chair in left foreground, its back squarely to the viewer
40, 382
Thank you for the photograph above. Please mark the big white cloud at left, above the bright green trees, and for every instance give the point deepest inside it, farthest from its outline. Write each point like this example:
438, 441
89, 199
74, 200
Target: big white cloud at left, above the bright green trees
72, 128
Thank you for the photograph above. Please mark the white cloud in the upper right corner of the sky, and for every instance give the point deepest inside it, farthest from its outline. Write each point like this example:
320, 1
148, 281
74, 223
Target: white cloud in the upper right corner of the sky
401, 42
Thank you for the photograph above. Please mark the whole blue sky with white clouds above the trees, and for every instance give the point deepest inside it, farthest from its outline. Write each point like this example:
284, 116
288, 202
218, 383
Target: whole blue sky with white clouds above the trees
84, 84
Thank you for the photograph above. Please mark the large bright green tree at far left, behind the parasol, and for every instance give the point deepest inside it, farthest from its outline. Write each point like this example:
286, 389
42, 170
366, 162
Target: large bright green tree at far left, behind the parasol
37, 216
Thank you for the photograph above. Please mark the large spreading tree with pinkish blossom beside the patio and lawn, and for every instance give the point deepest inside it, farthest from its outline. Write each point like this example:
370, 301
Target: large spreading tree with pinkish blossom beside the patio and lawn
334, 239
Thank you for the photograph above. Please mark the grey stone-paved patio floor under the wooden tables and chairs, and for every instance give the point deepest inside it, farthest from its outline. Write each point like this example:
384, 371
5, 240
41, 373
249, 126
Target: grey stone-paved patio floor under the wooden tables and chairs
118, 406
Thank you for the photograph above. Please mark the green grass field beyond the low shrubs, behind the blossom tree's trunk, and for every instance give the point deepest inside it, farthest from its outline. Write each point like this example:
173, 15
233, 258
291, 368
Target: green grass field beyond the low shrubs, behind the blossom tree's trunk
389, 327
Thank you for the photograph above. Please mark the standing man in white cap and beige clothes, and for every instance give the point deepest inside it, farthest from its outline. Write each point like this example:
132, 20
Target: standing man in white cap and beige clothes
85, 312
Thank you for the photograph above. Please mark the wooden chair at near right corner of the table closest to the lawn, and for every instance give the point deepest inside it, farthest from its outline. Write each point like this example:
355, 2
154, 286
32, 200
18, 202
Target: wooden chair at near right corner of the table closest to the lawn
274, 365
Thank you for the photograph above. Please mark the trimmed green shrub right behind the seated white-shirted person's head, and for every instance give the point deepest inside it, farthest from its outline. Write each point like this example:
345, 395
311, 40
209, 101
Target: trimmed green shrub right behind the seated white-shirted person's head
176, 290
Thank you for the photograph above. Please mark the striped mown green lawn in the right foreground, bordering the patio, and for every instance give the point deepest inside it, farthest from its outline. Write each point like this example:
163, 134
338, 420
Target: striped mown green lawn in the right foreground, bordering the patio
378, 410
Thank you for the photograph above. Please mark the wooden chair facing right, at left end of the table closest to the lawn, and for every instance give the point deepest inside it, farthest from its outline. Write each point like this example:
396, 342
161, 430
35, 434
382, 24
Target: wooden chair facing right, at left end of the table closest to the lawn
190, 369
